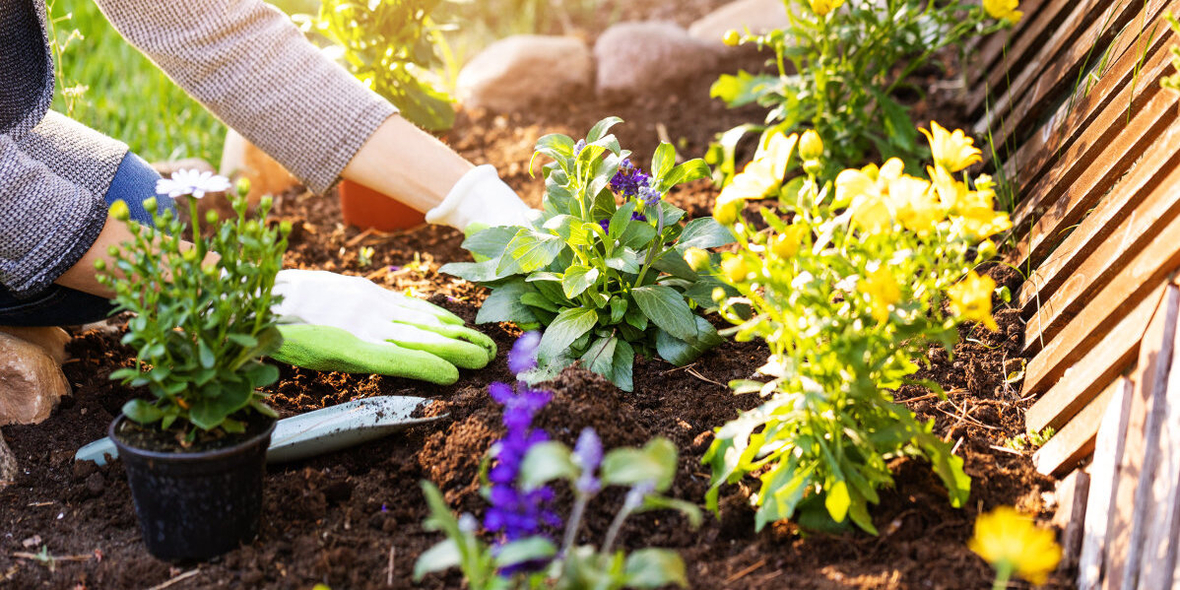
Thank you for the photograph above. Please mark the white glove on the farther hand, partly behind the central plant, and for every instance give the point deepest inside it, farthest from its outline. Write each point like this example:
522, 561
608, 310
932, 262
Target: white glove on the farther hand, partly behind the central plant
482, 198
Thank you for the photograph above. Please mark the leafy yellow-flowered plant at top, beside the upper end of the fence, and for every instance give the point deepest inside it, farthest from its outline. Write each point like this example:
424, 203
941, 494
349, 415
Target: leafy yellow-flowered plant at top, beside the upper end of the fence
840, 67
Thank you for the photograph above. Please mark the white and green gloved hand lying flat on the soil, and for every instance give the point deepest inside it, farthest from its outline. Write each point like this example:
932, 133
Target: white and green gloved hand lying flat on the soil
349, 324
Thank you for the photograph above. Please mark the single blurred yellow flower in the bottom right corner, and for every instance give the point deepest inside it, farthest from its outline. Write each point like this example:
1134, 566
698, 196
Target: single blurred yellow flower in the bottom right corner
1013, 545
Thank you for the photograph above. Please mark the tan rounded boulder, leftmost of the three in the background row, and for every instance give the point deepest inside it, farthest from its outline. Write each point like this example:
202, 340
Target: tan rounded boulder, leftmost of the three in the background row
521, 71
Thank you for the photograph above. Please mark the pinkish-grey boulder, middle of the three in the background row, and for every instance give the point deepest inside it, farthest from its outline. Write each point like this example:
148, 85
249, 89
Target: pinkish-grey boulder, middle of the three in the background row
637, 58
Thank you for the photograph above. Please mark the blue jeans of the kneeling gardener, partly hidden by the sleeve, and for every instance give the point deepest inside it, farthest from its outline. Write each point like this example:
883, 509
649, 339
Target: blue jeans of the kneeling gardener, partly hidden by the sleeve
134, 182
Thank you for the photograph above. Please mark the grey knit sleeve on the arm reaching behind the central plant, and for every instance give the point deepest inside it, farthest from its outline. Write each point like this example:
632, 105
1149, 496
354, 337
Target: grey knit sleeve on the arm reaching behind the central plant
248, 64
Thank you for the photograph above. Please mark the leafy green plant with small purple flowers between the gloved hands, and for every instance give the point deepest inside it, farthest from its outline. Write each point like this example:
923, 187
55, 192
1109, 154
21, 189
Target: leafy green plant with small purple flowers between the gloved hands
608, 280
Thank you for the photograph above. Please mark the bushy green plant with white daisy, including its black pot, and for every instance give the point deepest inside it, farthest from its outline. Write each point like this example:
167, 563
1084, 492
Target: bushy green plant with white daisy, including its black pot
195, 455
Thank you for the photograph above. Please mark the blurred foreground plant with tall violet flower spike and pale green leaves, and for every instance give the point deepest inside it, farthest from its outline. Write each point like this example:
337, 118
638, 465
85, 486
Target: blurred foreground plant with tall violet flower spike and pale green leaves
523, 554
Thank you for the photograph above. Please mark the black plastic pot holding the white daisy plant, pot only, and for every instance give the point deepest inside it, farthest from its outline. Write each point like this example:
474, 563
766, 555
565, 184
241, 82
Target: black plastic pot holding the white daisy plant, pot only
194, 507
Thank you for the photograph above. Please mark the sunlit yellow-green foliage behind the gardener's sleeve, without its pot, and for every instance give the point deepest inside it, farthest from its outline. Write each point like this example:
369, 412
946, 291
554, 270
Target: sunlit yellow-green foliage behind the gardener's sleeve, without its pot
390, 45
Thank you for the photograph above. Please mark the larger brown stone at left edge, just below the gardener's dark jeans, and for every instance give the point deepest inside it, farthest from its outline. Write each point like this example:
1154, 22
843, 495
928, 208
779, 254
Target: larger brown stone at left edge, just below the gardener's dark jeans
31, 382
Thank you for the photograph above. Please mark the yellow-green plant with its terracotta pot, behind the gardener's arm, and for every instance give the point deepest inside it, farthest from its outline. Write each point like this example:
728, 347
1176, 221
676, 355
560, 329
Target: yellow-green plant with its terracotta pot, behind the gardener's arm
390, 45
